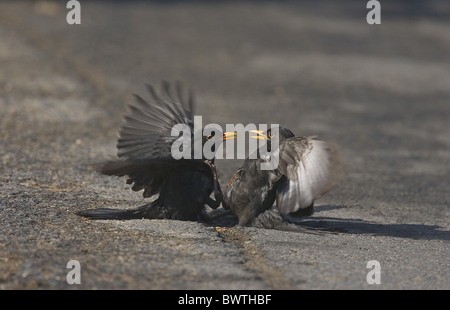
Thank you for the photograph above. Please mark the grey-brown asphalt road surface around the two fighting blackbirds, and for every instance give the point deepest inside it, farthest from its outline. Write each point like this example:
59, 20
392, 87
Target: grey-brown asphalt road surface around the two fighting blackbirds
381, 92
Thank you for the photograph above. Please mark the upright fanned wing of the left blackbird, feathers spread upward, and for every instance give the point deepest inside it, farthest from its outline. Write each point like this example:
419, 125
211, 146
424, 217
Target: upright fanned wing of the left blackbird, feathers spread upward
146, 131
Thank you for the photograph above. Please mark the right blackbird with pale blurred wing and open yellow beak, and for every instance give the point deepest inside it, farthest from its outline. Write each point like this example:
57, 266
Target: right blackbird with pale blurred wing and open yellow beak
308, 167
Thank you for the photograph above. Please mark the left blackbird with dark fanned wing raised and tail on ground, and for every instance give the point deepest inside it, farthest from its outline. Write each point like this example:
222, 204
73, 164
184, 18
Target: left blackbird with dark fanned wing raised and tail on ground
144, 155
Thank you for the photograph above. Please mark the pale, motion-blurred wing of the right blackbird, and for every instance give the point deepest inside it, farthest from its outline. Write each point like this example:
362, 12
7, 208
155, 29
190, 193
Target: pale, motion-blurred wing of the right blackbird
311, 167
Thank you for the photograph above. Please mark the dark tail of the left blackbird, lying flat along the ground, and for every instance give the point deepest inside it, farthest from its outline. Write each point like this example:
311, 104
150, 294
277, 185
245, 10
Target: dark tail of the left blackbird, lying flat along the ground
149, 211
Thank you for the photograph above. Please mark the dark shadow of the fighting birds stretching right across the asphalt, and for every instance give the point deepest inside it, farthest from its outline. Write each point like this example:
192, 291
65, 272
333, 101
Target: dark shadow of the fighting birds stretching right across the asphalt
359, 226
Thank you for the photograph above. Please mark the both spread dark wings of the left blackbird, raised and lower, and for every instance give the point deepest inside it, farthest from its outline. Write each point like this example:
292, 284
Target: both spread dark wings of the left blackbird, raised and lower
144, 143
